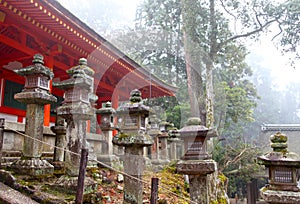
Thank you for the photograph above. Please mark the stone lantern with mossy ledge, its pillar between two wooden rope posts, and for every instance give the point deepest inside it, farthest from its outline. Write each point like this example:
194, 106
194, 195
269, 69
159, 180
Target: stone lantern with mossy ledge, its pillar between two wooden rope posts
133, 136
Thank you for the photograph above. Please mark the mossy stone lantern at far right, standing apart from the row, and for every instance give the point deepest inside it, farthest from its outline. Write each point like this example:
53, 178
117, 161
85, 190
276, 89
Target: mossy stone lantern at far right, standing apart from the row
283, 167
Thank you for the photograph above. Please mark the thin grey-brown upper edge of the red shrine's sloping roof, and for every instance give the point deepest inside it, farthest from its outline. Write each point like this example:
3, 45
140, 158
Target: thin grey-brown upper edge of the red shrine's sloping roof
109, 46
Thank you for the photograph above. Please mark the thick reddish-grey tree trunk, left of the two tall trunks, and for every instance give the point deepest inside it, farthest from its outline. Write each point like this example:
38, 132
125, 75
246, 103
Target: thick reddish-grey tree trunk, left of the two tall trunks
193, 63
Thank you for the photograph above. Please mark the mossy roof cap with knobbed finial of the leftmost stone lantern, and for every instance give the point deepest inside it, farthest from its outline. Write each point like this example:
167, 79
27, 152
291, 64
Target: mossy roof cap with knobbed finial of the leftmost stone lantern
37, 68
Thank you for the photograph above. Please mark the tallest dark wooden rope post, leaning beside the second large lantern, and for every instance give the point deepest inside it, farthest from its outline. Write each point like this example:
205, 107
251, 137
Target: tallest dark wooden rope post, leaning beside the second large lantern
81, 176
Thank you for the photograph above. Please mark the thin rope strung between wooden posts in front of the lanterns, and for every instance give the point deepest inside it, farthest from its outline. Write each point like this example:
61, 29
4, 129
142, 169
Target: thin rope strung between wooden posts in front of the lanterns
103, 164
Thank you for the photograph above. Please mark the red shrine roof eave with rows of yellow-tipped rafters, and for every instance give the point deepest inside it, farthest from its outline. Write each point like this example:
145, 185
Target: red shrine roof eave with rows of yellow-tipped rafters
47, 23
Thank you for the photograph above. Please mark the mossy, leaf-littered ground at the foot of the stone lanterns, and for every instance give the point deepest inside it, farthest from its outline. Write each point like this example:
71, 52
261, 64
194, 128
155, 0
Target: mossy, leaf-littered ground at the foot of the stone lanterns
172, 188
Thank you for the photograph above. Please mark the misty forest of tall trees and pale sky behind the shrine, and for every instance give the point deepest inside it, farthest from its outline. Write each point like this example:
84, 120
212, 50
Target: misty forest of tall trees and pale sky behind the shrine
202, 47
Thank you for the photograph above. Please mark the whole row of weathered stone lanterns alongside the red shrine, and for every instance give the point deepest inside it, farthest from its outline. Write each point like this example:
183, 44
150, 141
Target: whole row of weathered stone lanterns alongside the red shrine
134, 134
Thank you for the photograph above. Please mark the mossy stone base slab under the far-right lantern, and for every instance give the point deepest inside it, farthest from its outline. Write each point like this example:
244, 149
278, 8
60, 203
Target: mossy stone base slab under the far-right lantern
275, 196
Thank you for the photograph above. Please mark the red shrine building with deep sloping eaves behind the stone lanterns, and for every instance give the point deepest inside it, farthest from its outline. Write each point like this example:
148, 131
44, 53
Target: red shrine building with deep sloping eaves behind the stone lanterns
28, 27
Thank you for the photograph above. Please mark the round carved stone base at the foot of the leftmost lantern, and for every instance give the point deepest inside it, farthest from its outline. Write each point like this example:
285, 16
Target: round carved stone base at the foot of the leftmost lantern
33, 167
